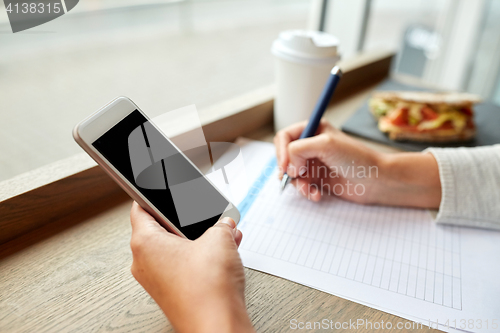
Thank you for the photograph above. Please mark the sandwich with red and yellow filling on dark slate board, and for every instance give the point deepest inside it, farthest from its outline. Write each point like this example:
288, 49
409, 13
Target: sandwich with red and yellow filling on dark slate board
425, 116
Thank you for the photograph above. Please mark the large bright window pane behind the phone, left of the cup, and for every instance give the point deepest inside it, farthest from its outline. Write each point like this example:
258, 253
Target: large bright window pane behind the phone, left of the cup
161, 54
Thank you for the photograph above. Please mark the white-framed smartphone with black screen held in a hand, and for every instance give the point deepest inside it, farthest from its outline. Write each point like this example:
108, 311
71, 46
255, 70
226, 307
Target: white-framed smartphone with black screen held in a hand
152, 170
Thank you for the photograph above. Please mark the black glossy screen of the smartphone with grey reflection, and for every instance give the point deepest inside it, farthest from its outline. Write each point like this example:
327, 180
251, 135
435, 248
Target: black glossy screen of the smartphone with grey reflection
157, 169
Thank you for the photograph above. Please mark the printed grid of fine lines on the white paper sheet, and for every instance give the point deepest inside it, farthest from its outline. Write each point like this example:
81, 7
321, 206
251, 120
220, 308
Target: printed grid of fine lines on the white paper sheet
396, 249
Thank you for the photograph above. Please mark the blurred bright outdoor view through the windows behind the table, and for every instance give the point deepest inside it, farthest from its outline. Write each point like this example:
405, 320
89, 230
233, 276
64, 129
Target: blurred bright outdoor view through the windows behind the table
168, 54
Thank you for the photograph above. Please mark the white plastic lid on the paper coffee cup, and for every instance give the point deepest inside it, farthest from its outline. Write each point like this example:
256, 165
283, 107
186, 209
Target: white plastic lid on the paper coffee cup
306, 46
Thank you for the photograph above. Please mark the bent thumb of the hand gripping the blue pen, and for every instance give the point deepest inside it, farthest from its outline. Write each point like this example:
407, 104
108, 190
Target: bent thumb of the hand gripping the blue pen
302, 150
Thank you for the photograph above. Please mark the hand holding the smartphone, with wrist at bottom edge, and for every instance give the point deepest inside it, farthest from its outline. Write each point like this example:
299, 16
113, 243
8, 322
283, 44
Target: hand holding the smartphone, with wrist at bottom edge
198, 284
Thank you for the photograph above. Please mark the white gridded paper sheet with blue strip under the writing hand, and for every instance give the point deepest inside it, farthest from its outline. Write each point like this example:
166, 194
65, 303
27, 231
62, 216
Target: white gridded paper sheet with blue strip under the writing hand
393, 259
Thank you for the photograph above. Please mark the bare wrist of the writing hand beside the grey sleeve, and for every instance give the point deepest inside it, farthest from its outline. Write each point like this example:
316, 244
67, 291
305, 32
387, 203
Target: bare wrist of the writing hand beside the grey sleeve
408, 179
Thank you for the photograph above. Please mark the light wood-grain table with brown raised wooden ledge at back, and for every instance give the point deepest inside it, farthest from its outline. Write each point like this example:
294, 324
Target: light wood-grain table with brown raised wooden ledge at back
71, 272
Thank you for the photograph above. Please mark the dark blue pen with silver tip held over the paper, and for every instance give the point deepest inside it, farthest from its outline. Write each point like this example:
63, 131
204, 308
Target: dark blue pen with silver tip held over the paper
319, 109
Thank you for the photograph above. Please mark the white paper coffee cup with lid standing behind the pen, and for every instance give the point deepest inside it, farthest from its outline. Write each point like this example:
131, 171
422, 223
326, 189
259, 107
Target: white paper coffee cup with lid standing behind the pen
304, 60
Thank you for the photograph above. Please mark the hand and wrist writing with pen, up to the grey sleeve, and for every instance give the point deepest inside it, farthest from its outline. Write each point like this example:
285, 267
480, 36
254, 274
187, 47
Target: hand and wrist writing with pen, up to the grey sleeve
332, 163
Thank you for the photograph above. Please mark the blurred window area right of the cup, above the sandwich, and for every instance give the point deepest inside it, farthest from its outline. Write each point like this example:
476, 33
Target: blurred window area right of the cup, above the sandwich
453, 44
